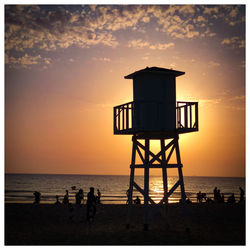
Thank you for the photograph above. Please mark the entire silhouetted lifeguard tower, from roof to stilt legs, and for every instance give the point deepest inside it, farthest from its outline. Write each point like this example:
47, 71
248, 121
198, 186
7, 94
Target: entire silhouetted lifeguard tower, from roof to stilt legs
155, 115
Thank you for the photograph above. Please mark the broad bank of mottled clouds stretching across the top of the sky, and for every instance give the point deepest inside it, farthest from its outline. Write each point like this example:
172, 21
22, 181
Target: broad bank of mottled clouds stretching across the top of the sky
39, 28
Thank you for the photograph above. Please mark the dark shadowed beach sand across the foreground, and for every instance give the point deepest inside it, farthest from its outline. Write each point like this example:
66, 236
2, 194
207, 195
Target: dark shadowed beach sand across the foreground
48, 224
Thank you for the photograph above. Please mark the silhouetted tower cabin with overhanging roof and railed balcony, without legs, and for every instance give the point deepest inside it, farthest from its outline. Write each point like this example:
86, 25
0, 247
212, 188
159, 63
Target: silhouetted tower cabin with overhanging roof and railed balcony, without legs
154, 111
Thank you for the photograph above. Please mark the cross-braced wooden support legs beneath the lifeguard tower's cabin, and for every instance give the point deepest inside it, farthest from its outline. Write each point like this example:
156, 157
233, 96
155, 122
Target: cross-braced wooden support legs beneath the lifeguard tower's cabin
159, 161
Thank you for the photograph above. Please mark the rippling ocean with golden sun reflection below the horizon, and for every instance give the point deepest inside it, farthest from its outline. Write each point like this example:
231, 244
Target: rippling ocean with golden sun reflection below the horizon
19, 188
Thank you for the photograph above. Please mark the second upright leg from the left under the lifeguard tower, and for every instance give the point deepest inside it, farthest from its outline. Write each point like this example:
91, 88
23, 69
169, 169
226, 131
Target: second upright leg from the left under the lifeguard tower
146, 184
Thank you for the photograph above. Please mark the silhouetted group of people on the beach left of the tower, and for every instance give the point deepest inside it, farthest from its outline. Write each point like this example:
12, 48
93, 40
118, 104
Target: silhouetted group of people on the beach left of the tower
76, 211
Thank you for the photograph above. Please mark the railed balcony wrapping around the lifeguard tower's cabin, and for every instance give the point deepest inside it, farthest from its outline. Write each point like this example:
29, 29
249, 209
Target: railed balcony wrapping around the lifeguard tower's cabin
127, 117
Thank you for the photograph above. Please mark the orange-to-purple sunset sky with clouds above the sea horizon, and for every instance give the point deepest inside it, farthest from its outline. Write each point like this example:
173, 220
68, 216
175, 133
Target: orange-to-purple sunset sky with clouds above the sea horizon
64, 73
